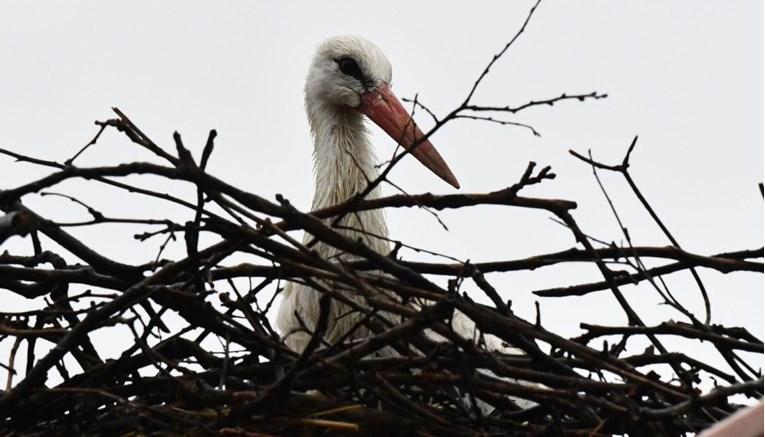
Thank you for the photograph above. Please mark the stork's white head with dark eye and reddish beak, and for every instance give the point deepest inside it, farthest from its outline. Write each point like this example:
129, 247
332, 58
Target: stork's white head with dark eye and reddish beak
349, 73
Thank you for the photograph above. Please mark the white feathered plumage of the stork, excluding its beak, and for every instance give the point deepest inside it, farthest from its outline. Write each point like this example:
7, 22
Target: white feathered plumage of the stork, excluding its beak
344, 162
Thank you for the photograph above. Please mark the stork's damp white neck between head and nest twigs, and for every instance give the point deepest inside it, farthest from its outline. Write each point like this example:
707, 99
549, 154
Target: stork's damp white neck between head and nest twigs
344, 164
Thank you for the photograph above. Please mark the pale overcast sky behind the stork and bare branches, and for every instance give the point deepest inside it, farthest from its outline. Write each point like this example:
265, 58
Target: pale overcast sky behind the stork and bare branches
684, 75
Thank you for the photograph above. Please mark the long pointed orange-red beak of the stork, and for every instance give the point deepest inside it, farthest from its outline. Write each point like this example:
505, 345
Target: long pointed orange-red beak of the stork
384, 108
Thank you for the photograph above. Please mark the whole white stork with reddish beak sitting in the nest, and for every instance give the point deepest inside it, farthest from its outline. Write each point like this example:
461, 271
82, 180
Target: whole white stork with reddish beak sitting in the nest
349, 79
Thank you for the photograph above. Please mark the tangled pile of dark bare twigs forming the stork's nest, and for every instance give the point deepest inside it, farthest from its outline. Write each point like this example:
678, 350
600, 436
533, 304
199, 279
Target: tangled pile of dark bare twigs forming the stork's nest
166, 382
